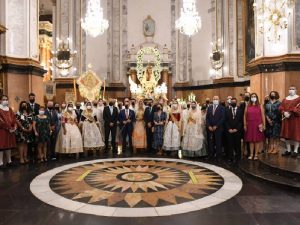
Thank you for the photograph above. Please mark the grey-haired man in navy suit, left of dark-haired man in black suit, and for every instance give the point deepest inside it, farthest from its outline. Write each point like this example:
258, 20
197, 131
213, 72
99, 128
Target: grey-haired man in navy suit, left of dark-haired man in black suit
215, 123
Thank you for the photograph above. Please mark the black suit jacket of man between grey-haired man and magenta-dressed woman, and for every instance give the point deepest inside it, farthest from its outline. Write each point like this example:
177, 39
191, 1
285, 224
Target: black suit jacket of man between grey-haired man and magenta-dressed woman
236, 122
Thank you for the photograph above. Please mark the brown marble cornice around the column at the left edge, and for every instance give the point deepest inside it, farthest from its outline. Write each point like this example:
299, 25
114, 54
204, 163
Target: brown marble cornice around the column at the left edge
21, 66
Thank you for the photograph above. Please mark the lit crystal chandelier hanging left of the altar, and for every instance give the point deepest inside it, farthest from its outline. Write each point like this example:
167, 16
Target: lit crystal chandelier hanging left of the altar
94, 24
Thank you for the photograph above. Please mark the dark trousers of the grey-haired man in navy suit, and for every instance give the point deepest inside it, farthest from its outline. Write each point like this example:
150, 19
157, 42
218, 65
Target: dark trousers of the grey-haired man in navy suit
215, 143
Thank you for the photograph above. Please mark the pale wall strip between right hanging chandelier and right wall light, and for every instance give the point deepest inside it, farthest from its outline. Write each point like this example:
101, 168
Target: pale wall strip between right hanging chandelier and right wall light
201, 47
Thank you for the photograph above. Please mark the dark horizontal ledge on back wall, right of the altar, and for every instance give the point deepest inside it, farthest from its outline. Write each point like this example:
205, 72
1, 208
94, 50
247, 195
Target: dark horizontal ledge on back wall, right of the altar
186, 87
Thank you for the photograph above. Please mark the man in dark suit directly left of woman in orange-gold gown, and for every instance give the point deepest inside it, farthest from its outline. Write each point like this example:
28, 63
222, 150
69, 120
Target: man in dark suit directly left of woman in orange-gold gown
126, 120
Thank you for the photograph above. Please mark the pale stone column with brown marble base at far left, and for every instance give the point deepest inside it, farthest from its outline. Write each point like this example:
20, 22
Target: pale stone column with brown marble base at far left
19, 52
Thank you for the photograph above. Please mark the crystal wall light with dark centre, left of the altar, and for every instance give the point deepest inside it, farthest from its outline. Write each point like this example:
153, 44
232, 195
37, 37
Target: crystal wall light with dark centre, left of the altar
63, 58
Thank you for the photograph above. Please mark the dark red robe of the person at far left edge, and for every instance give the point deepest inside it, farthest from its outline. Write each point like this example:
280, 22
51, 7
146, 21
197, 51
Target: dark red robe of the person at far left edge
7, 122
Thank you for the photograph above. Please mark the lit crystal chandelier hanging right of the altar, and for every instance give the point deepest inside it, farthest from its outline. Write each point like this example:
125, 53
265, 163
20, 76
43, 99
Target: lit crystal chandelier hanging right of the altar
189, 22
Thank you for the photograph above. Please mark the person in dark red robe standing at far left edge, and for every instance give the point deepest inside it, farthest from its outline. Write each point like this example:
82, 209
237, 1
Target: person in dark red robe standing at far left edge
8, 126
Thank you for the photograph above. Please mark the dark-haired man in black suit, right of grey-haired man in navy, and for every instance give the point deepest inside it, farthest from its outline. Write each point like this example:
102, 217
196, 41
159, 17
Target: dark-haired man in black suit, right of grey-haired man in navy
234, 127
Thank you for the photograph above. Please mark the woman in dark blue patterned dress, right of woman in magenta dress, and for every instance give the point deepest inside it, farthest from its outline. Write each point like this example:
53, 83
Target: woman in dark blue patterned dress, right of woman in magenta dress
273, 122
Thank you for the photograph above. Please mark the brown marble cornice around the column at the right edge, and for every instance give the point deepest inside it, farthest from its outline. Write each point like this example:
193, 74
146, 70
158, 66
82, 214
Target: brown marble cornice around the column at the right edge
288, 62
